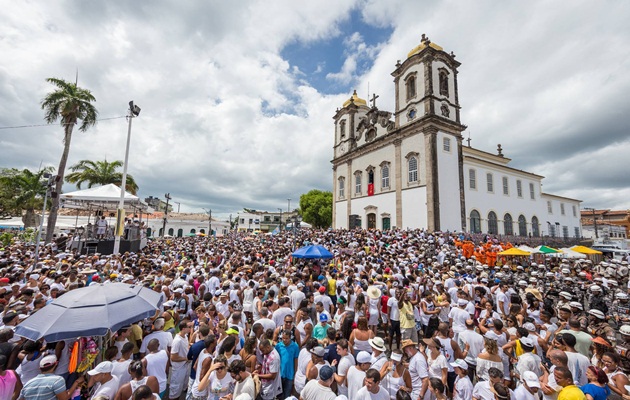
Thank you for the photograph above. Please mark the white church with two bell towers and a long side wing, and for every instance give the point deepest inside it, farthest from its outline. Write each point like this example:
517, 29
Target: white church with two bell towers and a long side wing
410, 168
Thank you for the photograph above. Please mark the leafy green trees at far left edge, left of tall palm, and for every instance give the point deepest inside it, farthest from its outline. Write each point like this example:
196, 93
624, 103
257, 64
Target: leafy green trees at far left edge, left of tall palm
24, 192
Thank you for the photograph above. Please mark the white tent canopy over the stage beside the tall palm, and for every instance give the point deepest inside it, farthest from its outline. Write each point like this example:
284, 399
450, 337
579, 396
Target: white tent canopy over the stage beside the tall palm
104, 197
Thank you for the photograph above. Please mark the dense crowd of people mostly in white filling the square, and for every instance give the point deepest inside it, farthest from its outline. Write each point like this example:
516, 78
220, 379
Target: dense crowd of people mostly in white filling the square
394, 315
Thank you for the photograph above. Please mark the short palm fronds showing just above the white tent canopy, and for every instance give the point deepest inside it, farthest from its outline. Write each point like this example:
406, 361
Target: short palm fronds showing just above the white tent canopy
99, 173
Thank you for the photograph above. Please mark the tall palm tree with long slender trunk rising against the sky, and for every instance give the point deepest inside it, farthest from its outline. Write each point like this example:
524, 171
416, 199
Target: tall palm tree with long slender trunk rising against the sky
70, 104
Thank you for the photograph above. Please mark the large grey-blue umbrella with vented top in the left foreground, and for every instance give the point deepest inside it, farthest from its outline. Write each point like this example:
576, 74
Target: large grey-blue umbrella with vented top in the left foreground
91, 311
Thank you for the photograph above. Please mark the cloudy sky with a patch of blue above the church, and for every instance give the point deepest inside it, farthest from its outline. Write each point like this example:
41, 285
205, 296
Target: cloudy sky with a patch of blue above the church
237, 97
